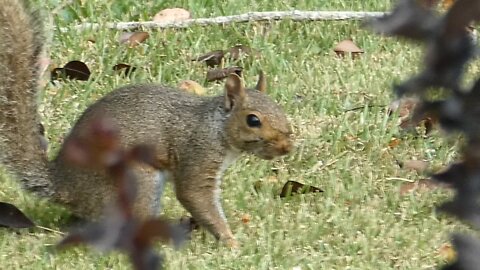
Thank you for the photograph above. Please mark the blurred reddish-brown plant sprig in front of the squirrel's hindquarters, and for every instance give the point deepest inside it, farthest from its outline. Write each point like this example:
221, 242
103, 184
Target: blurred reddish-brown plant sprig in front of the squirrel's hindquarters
99, 148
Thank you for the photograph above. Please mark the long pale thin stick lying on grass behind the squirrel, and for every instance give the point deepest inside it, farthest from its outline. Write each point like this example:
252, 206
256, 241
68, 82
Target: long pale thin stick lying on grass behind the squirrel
294, 15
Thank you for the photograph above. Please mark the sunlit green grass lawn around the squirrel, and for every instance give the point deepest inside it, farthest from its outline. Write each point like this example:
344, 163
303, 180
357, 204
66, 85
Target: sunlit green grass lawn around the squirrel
360, 222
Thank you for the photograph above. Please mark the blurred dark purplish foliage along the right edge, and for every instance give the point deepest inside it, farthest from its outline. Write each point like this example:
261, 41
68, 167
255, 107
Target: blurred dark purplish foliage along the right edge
449, 48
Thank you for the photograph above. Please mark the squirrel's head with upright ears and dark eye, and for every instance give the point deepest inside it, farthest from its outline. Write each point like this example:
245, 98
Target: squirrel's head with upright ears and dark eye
256, 123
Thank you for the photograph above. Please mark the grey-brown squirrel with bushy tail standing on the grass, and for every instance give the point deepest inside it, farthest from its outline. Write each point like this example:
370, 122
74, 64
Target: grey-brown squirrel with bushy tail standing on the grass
195, 138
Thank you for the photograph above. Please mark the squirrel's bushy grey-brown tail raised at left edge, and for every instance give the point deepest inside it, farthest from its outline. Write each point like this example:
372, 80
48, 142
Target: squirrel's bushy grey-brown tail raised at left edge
21, 43
